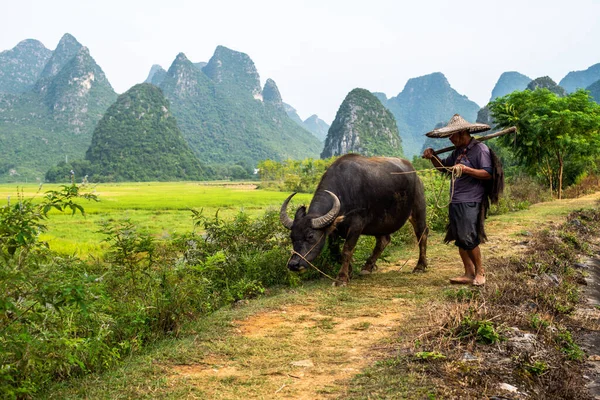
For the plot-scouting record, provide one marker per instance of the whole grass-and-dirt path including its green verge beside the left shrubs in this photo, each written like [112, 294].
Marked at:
[317, 341]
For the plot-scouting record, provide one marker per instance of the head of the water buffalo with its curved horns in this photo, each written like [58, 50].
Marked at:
[308, 233]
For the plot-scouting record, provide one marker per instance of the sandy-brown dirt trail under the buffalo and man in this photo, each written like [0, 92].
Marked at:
[310, 350]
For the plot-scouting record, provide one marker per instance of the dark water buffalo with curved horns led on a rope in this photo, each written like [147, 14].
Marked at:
[358, 196]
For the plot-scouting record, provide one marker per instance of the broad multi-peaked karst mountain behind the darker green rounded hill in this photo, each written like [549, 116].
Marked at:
[222, 115]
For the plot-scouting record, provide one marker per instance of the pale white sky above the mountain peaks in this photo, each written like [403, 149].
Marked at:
[319, 50]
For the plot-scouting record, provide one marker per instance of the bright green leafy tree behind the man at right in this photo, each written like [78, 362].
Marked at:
[554, 134]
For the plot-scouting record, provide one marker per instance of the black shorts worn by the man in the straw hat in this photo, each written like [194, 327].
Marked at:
[463, 224]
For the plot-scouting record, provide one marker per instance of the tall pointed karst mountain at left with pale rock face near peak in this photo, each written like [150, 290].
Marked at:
[53, 120]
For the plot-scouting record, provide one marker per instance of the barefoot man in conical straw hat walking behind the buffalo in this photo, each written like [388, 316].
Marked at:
[471, 165]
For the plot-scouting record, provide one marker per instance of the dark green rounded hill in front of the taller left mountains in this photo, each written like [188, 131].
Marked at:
[138, 140]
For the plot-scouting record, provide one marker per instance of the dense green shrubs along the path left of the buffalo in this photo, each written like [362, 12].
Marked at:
[61, 316]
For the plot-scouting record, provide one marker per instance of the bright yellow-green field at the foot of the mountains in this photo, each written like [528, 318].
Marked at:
[159, 208]
